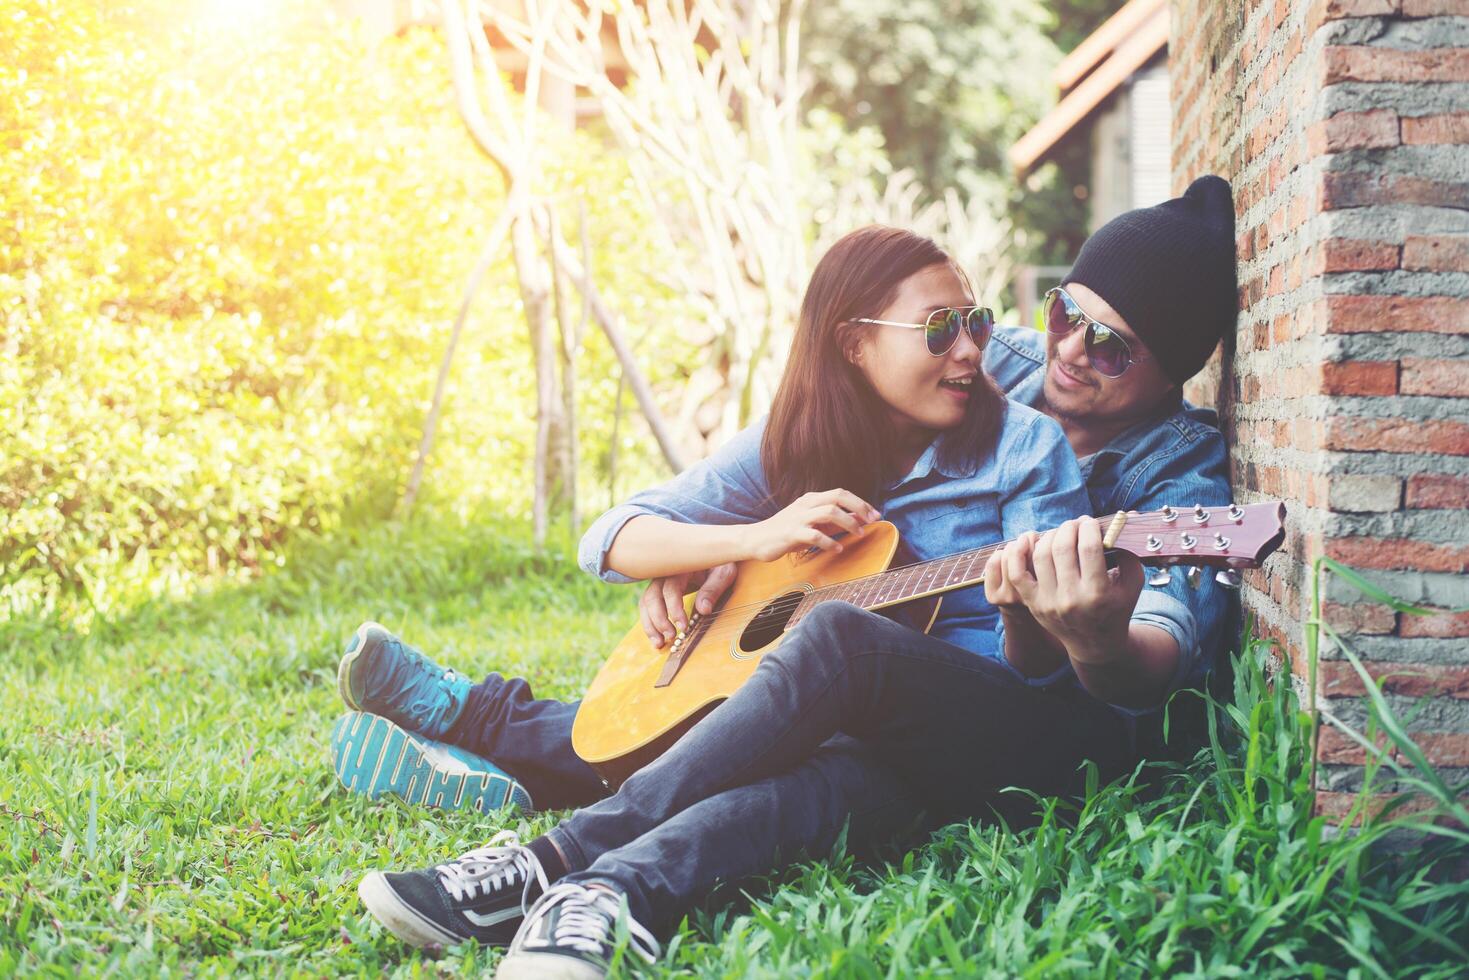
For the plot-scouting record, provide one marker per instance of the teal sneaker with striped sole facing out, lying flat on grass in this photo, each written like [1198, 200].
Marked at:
[375, 757]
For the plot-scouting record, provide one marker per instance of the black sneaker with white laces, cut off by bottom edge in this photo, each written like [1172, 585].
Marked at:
[571, 934]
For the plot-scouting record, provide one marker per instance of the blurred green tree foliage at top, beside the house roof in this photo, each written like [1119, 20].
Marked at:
[950, 86]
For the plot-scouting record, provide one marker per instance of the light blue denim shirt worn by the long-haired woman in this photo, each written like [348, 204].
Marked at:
[1031, 481]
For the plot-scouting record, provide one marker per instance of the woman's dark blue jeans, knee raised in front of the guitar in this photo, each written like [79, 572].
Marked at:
[759, 775]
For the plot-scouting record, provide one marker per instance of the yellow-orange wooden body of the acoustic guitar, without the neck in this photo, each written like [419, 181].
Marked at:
[628, 718]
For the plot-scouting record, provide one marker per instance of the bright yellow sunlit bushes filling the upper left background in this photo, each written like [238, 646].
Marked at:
[228, 264]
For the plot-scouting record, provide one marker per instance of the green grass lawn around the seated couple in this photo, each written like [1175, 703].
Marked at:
[167, 807]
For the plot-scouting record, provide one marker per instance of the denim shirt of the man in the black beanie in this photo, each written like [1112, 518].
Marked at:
[1179, 459]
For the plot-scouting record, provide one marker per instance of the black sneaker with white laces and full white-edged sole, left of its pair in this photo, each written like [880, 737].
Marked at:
[480, 896]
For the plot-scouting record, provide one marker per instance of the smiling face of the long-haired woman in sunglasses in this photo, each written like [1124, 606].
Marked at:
[923, 393]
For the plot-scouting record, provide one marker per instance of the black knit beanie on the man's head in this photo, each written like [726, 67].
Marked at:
[1170, 273]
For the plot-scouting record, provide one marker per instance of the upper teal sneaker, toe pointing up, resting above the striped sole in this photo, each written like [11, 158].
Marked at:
[383, 675]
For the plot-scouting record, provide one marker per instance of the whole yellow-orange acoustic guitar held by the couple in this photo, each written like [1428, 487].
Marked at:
[646, 699]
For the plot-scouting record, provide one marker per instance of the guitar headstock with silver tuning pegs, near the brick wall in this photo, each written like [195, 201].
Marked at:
[1229, 537]
